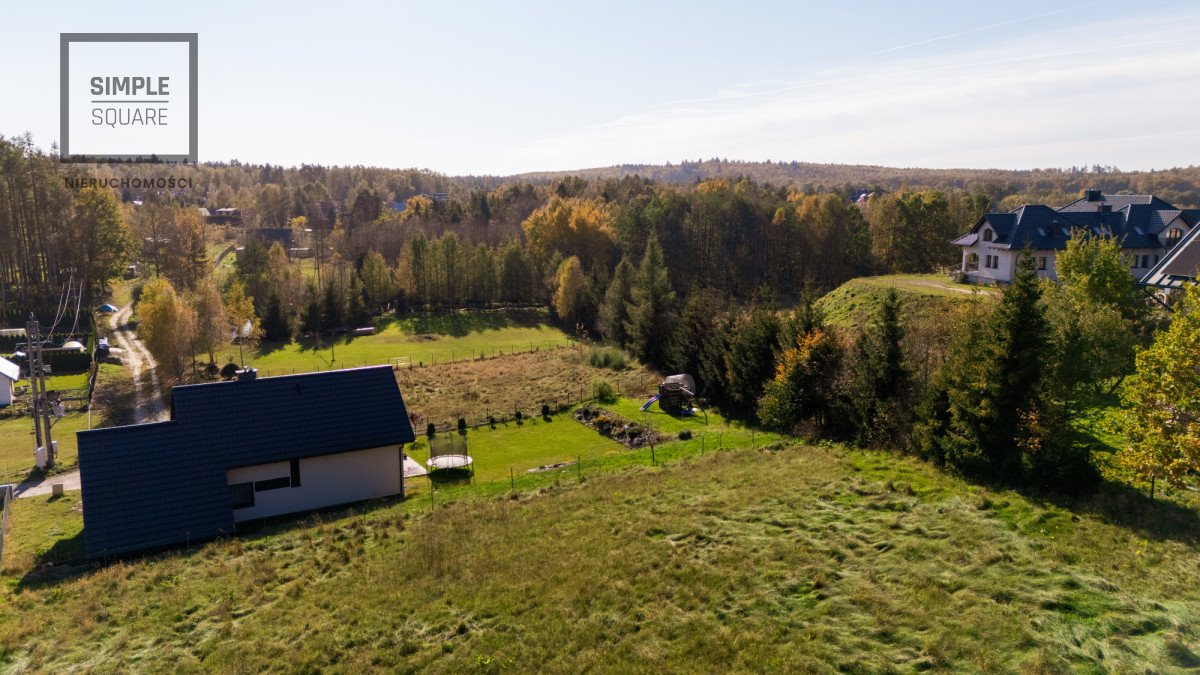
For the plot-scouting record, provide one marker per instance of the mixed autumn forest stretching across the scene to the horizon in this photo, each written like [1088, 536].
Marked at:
[712, 272]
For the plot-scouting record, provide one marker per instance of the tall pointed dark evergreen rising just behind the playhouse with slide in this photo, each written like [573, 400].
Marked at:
[651, 312]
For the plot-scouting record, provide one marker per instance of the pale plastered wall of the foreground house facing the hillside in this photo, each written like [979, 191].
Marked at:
[325, 482]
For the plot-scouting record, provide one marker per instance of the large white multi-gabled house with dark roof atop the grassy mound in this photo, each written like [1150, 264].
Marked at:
[1148, 228]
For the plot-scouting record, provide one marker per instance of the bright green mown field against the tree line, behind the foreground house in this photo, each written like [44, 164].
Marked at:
[423, 341]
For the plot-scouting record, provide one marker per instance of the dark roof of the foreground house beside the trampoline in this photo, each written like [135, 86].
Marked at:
[165, 483]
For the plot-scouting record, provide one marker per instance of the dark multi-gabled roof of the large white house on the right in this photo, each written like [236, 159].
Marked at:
[1138, 220]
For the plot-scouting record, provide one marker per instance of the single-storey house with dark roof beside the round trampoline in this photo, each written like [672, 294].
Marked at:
[239, 451]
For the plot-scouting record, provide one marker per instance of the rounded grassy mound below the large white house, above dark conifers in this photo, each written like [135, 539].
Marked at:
[922, 296]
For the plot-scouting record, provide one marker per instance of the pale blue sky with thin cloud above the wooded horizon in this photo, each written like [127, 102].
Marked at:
[502, 88]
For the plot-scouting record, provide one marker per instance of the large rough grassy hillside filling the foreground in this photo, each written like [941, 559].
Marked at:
[795, 559]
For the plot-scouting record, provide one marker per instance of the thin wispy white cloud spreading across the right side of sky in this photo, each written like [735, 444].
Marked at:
[1121, 94]
